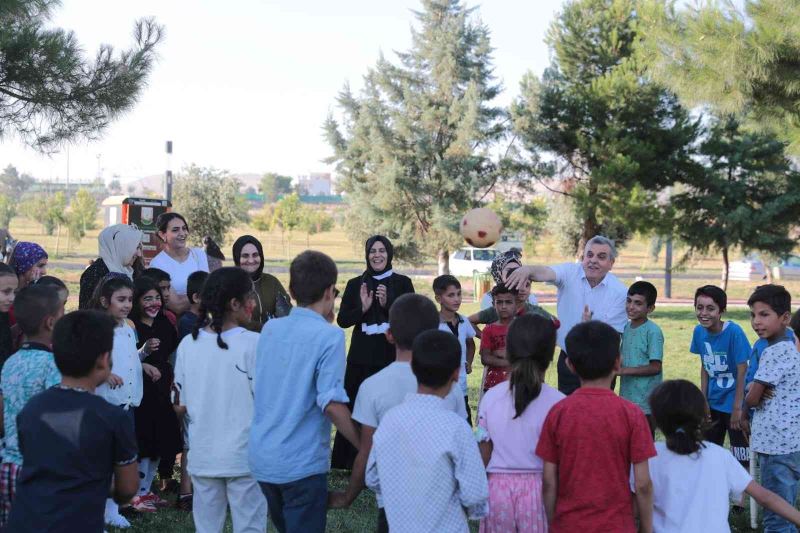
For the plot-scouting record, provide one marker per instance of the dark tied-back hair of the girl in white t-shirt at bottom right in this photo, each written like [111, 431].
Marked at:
[681, 413]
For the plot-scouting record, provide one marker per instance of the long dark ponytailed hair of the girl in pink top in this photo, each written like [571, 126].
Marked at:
[530, 345]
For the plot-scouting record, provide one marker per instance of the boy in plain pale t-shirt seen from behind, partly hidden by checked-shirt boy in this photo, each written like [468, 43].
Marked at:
[409, 316]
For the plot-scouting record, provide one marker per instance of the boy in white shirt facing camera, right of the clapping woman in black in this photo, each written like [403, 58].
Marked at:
[447, 290]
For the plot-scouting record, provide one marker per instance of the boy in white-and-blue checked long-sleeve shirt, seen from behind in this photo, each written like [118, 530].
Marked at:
[424, 463]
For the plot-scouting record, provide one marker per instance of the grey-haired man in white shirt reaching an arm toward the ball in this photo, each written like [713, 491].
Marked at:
[586, 291]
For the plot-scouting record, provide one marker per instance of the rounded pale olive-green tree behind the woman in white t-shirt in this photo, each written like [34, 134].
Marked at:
[210, 201]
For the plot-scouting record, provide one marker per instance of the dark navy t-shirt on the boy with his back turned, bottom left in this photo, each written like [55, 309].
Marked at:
[71, 441]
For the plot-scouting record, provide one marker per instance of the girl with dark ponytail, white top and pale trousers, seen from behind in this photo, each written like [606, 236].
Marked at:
[213, 376]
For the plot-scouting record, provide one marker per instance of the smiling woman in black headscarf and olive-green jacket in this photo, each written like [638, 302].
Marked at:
[272, 300]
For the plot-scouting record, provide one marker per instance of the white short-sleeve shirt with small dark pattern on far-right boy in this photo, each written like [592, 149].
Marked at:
[776, 423]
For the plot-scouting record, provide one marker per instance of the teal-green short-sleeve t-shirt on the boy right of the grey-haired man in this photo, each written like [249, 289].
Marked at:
[640, 346]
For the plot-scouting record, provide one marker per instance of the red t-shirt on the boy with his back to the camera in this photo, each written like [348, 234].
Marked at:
[594, 437]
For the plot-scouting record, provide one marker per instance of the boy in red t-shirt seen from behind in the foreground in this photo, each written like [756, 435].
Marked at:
[589, 442]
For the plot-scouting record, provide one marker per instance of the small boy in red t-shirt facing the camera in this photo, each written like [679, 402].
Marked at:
[493, 337]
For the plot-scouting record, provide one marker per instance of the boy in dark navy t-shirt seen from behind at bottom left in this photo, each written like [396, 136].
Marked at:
[73, 441]
